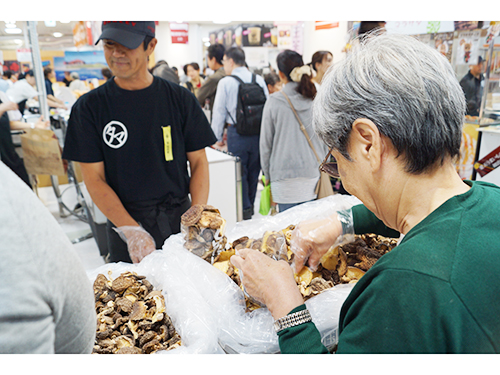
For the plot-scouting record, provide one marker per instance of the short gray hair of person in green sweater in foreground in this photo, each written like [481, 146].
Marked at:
[409, 91]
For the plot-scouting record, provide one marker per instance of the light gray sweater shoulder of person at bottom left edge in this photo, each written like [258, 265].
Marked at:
[46, 298]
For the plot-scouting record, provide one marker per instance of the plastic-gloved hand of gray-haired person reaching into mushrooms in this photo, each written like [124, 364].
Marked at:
[311, 239]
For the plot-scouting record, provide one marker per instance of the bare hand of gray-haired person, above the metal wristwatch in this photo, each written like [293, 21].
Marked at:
[268, 281]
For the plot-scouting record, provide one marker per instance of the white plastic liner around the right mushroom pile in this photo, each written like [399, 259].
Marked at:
[238, 331]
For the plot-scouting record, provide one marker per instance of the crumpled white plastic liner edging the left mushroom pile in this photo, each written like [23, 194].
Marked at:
[186, 308]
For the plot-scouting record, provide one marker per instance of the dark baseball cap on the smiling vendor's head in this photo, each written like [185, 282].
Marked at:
[128, 33]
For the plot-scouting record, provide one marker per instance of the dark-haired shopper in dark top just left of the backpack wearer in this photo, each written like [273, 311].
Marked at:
[209, 88]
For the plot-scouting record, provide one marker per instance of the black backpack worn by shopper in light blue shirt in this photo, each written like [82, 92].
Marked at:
[250, 104]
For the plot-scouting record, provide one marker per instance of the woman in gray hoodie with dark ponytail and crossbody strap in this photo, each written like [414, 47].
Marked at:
[286, 157]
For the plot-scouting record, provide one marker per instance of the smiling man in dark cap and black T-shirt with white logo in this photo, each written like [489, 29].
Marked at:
[133, 137]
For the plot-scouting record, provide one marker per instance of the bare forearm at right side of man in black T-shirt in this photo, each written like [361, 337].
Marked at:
[200, 183]
